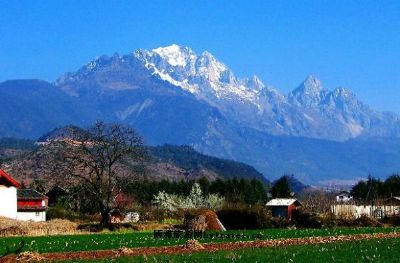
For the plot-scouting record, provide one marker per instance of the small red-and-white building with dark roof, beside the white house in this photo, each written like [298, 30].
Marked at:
[32, 205]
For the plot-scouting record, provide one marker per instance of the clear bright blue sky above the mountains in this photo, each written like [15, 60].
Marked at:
[355, 44]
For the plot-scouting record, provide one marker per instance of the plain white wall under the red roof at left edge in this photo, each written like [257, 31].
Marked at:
[8, 202]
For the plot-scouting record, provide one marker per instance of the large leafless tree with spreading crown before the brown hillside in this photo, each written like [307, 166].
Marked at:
[94, 158]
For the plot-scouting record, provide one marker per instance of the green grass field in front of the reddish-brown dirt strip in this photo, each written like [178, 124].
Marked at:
[379, 250]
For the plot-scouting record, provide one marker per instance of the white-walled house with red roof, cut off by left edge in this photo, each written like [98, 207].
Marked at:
[8, 195]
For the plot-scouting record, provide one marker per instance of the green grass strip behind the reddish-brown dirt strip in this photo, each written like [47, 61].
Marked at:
[145, 239]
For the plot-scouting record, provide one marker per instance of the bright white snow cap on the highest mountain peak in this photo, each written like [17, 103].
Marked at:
[202, 75]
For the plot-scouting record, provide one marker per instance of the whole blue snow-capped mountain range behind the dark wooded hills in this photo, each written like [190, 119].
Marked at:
[173, 95]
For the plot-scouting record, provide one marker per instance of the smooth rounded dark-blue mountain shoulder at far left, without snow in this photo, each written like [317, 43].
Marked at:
[31, 107]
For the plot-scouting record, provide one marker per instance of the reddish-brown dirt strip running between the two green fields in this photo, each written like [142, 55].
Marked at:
[210, 247]
